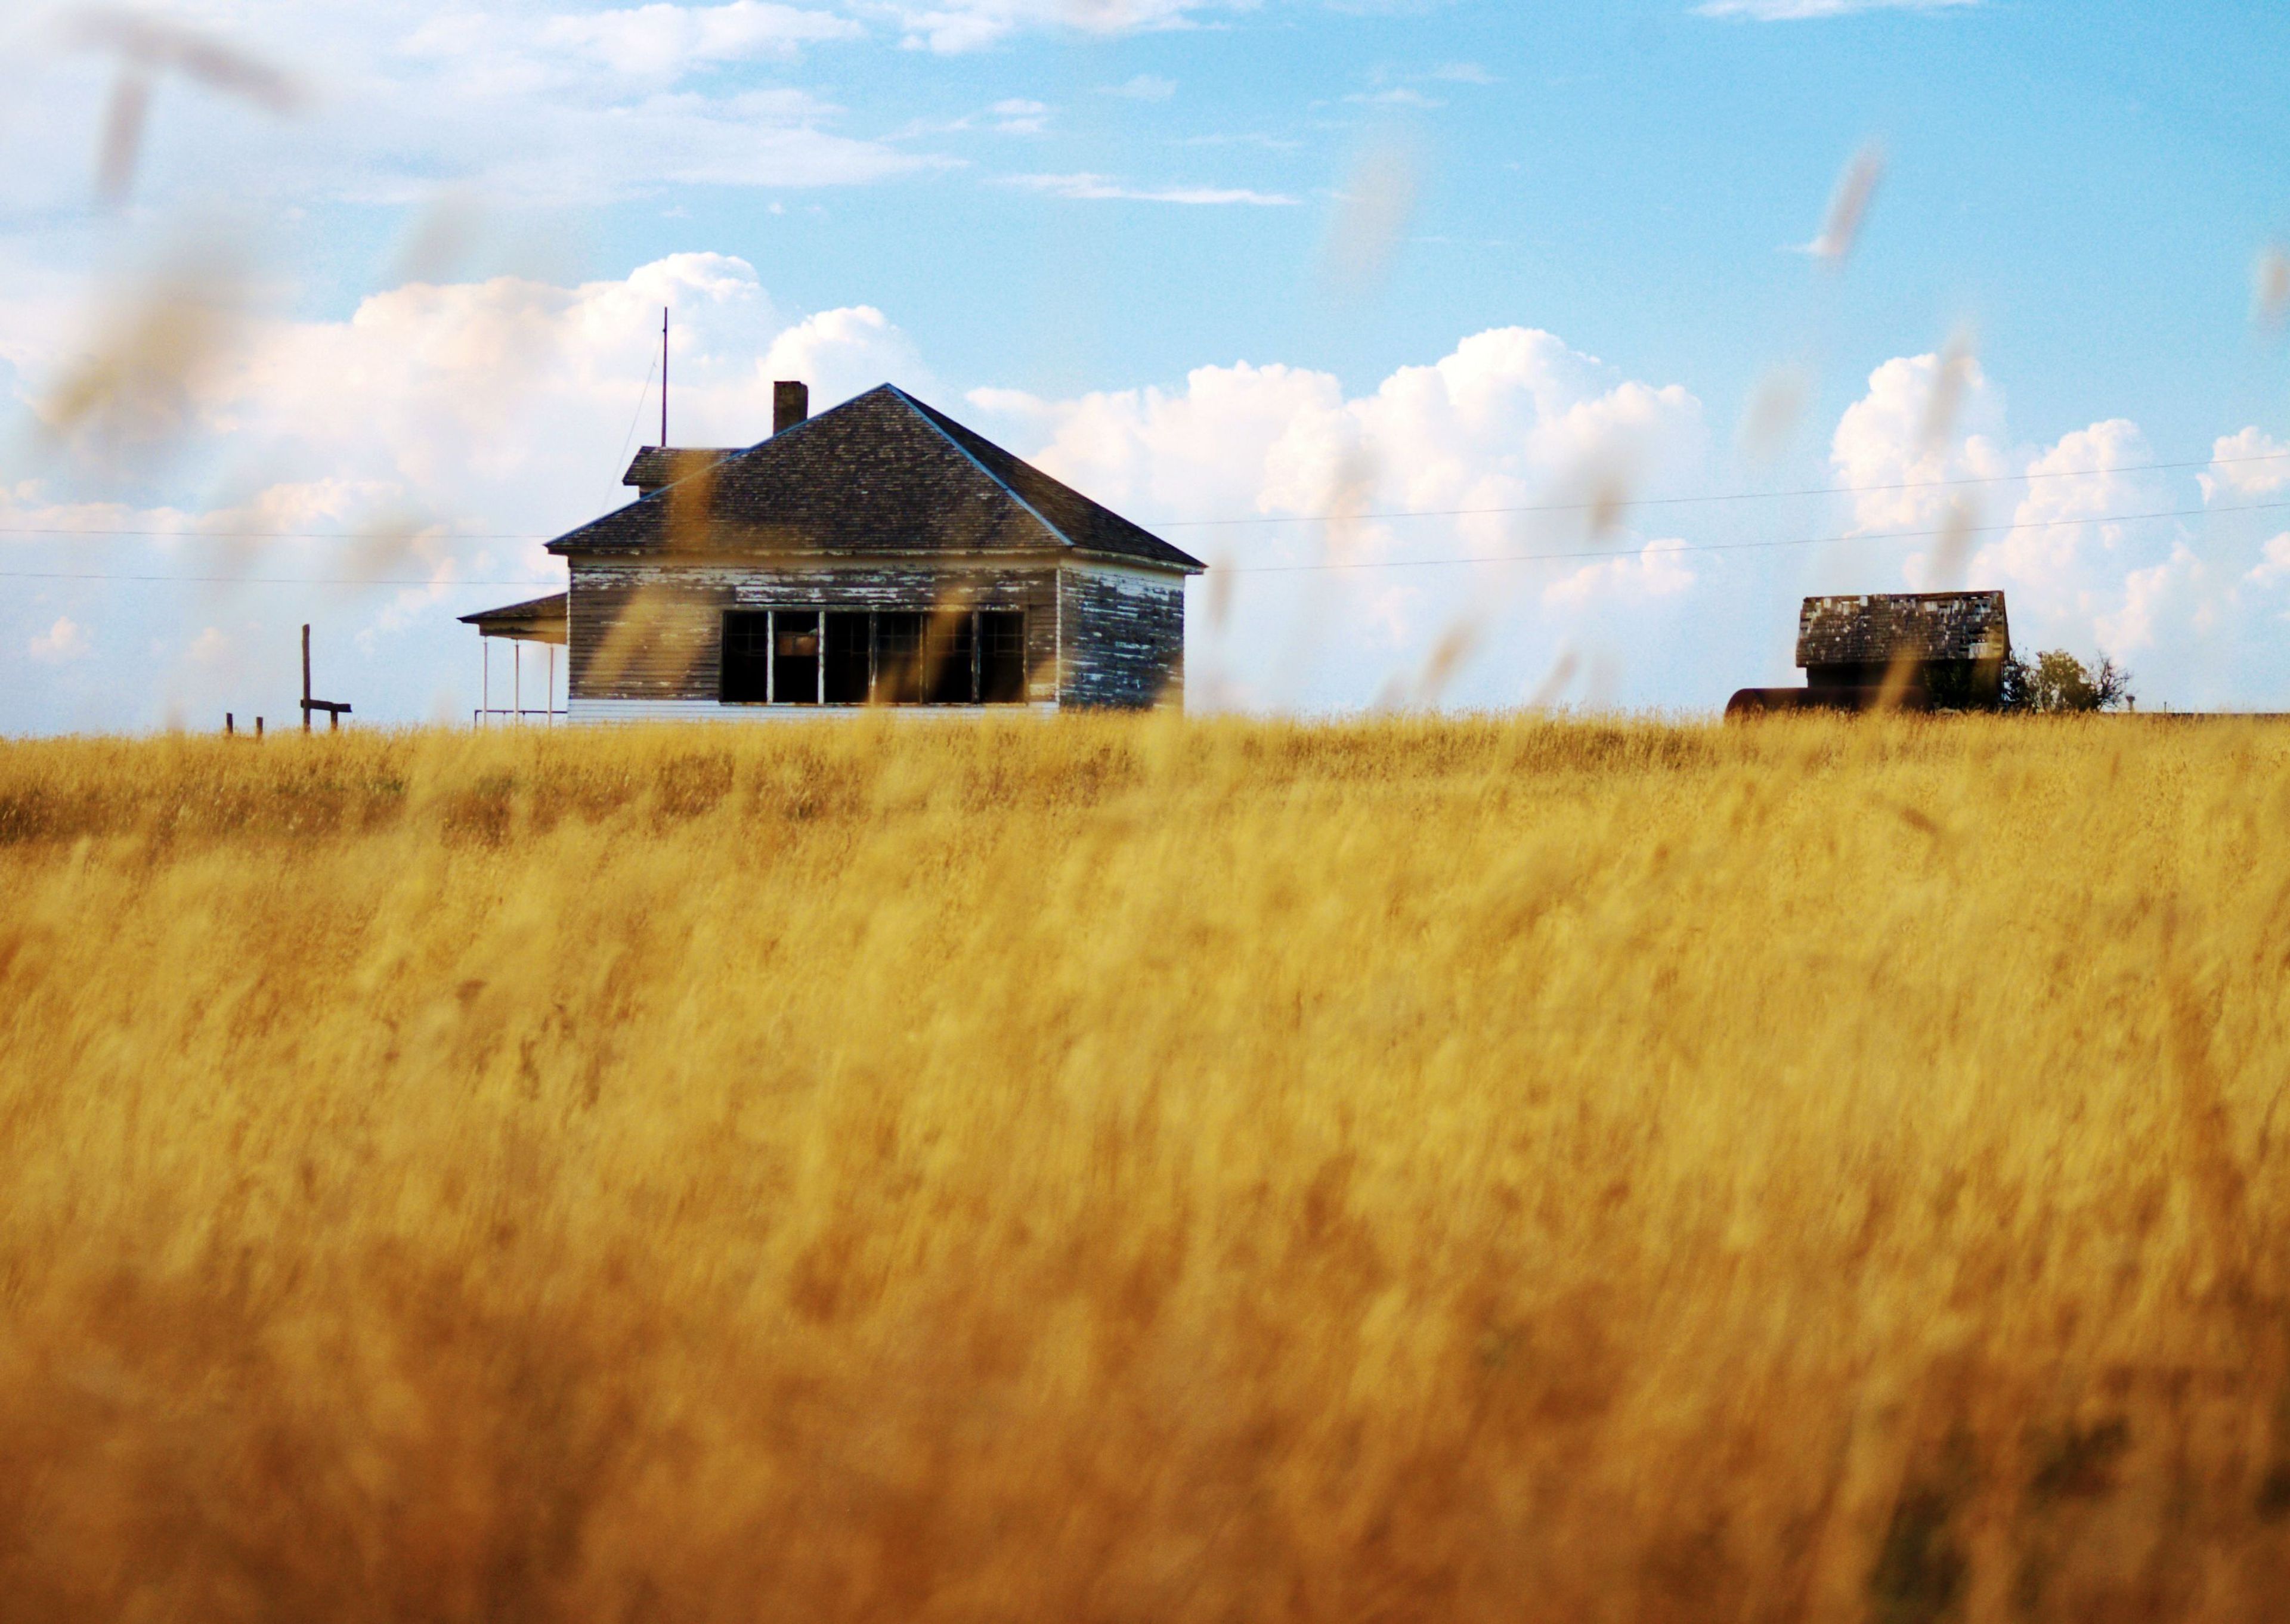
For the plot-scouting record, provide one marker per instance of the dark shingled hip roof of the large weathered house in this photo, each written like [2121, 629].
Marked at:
[878, 475]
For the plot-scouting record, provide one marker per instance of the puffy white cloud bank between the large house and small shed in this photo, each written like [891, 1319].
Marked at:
[1389, 528]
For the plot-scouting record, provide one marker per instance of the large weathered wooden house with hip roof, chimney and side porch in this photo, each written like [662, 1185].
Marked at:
[871, 555]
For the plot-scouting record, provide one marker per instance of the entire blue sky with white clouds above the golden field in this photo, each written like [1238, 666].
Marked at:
[1213, 262]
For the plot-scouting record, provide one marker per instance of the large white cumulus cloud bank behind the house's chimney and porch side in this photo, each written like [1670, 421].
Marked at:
[397, 468]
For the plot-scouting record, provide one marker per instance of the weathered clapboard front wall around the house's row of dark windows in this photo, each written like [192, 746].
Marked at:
[656, 631]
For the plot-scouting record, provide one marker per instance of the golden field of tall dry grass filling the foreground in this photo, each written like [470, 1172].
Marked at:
[1148, 1172]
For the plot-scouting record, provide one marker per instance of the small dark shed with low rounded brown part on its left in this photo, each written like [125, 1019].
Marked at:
[1916, 652]
